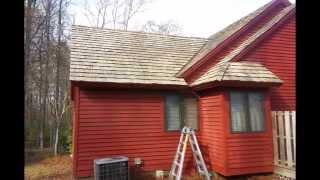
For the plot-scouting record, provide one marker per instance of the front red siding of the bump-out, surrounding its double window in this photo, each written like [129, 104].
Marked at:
[249, 153]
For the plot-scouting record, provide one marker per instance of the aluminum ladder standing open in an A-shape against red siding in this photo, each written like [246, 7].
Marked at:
[177, 165]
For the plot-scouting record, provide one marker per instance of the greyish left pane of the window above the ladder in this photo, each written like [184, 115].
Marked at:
[173, 118]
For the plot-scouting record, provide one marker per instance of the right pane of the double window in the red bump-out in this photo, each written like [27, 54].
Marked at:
[256, 111]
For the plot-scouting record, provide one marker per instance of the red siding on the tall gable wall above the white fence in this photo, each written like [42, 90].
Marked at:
[278, 53]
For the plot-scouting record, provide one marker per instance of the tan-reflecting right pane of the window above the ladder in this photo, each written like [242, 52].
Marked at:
[191, 112]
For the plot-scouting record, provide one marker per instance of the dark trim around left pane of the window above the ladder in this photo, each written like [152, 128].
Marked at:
[165, 112]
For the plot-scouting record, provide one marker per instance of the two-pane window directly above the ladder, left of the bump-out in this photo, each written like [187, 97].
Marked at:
[180, 112]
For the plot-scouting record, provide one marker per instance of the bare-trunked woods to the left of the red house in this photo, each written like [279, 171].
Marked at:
[47, 102]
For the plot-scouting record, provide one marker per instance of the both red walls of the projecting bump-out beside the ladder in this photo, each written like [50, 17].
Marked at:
[227, 153]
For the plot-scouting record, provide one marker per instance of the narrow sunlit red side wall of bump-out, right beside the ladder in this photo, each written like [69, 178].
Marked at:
[212, 131]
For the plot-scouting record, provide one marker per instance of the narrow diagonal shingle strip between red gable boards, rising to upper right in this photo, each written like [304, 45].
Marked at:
[213, 72]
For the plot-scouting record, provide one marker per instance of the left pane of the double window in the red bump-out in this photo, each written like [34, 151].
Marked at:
[238, 112]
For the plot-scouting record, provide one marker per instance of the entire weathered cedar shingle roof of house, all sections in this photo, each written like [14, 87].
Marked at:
[104, 55]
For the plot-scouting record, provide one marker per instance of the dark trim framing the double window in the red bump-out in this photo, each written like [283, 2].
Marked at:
[248, 112]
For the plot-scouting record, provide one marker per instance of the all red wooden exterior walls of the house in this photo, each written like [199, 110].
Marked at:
[132, 123]
